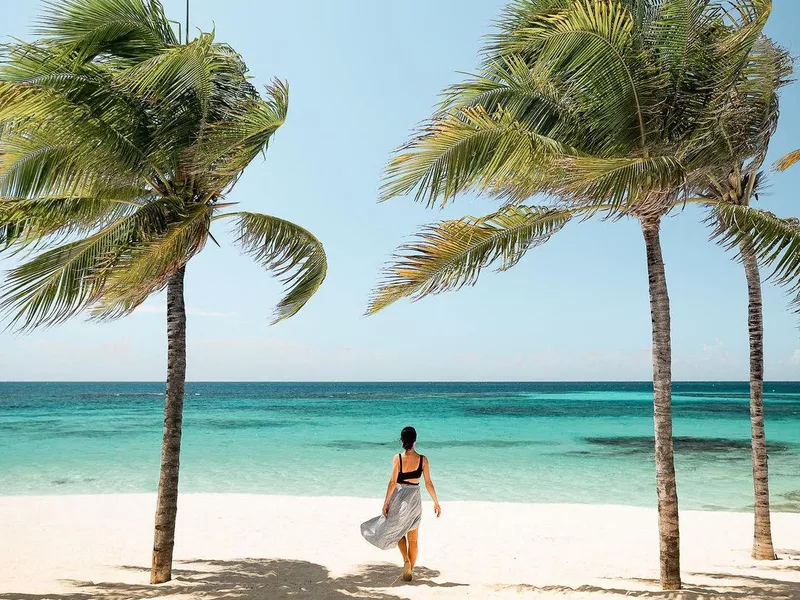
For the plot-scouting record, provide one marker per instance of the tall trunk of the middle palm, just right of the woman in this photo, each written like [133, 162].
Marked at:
[669, 538]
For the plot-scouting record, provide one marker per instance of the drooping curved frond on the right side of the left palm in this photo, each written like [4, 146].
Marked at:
[291, 252]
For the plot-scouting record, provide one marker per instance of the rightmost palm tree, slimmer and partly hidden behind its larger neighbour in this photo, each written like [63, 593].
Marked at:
[754, 121]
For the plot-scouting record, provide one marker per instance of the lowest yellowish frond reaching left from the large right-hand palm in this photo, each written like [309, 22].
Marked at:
[452, 254]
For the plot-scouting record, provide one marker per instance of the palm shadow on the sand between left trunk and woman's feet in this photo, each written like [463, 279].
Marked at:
[251, 579]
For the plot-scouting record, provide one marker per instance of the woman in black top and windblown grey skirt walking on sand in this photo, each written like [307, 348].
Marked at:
[402, 509]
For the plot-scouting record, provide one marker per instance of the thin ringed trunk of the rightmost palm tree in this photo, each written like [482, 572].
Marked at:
[762, 531]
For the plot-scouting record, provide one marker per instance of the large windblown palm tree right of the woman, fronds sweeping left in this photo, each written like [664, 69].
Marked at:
[611, 108]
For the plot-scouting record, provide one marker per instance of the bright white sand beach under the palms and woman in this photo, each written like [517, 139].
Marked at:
[273, 547]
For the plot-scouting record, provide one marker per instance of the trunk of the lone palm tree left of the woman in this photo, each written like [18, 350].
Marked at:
[167, 506]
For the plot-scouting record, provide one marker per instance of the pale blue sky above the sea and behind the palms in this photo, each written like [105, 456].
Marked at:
[362, 74]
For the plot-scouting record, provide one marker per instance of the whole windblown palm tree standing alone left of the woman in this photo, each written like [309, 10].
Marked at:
[118, 146]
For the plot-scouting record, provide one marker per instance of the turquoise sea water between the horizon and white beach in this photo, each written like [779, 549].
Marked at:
[532, 442]
